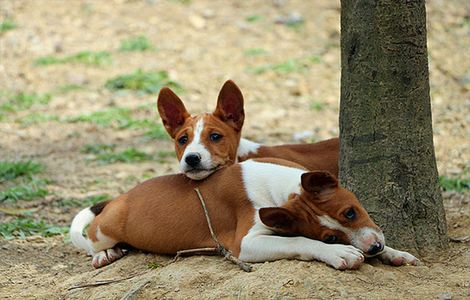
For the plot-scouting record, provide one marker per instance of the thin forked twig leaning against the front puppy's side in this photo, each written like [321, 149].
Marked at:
[219, 249]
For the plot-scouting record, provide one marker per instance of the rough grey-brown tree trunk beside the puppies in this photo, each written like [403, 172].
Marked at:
[387, 154]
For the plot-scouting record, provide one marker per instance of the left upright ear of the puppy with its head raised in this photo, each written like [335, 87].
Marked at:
[172, 111]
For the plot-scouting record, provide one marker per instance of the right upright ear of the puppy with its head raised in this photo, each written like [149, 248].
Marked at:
[230, 105]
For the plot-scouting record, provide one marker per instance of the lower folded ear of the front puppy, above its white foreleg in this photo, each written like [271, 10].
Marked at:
[278, 218]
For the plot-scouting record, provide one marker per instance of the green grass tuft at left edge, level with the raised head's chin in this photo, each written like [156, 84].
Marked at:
[28, 190]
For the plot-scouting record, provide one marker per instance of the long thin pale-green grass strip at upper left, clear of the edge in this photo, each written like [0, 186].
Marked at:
[85, 57]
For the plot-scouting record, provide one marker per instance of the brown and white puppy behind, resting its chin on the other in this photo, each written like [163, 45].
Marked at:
[207, 142]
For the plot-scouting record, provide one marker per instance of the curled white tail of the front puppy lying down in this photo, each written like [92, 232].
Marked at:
[82, 220]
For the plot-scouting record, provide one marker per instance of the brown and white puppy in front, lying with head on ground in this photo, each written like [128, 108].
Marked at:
[248, 203]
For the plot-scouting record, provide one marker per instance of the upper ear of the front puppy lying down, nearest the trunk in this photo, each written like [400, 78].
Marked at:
[320, 183]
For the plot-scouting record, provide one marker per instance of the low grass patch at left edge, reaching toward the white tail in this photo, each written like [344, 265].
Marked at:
[21, 228]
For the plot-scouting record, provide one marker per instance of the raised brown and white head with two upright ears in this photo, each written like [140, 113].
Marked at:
[207, 142]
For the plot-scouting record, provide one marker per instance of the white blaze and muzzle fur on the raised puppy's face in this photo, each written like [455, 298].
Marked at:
[196, 146]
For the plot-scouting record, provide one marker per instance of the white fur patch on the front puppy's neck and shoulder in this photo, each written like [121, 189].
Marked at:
[269, 184]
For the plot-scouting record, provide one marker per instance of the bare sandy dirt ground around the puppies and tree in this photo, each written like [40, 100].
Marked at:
[201, 44]
